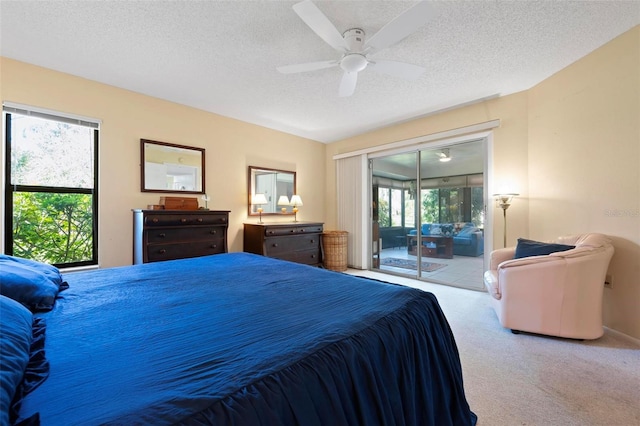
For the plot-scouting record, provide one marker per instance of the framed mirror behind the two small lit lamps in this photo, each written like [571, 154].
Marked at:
[273, 184]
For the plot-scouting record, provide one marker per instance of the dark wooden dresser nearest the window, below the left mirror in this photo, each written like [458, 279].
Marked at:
[176, 234]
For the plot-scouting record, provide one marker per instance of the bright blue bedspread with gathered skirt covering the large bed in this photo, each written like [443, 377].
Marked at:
[239, 339]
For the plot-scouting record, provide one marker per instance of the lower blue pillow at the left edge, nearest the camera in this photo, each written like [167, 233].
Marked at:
[15, 343]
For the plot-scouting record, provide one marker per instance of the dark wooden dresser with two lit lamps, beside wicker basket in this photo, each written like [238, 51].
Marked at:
[294, 241]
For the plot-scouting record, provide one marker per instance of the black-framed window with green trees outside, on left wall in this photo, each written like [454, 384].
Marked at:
[51, 192]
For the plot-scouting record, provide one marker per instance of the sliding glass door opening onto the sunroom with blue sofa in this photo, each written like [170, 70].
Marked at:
[428, 213]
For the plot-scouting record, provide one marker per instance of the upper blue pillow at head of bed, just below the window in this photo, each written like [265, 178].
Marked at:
[34, 284]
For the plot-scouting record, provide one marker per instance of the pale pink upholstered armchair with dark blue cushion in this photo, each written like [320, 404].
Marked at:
[558, 294]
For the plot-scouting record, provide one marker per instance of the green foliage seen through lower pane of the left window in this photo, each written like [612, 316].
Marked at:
[52, 227]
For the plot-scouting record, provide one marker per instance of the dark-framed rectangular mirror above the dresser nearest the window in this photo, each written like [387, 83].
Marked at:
[167, 167]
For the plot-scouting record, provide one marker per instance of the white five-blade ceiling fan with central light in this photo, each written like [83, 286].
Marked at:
[356, 51]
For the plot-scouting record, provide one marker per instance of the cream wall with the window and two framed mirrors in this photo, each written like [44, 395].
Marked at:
[231, 146]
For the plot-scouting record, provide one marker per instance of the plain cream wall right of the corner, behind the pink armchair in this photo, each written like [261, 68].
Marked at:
[584, 163]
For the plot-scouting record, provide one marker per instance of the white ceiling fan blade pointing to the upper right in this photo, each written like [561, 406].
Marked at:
[402, 26]
